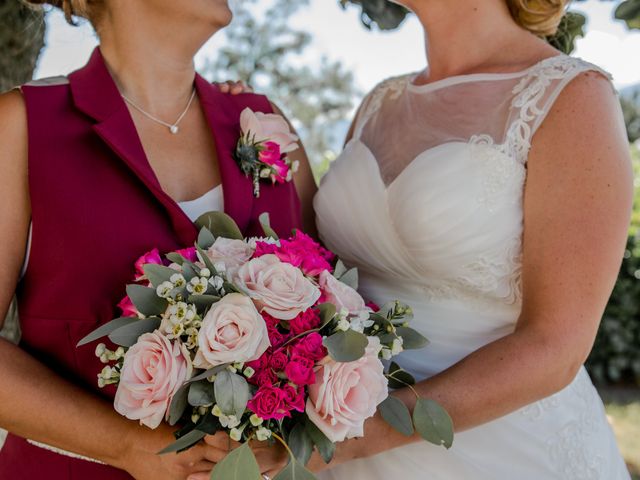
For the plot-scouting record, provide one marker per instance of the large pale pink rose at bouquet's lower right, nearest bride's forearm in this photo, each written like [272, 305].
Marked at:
[346, 394]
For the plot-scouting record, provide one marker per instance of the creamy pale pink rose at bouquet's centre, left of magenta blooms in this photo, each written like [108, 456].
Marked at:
[232, 331]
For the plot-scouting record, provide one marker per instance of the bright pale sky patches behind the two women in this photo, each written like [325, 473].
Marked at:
[371, 55]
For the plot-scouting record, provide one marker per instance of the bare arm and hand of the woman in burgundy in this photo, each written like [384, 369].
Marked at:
[52, 410]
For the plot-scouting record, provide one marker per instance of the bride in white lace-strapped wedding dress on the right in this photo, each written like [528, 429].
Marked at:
[492, 192]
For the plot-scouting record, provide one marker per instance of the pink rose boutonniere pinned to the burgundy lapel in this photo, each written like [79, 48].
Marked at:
[261, 152]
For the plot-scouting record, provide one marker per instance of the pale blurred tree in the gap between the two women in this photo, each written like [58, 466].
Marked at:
[264, 49]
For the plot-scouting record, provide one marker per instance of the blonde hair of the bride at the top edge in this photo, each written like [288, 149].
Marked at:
[540, 17]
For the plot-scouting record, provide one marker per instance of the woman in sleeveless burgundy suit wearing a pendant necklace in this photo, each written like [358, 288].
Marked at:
[93, 170]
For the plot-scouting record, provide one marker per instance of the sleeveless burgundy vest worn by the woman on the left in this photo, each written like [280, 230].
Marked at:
[96, 207]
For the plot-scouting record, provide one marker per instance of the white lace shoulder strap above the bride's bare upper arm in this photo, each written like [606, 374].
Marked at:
[535, 94]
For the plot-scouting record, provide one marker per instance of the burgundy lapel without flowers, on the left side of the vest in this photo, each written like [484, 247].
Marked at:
[95, 93]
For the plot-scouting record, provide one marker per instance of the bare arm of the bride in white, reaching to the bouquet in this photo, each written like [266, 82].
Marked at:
[577, 205]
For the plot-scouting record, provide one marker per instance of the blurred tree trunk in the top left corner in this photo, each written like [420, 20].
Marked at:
[21, 39]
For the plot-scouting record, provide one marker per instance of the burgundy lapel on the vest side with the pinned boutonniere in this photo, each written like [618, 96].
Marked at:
[223, 115]
